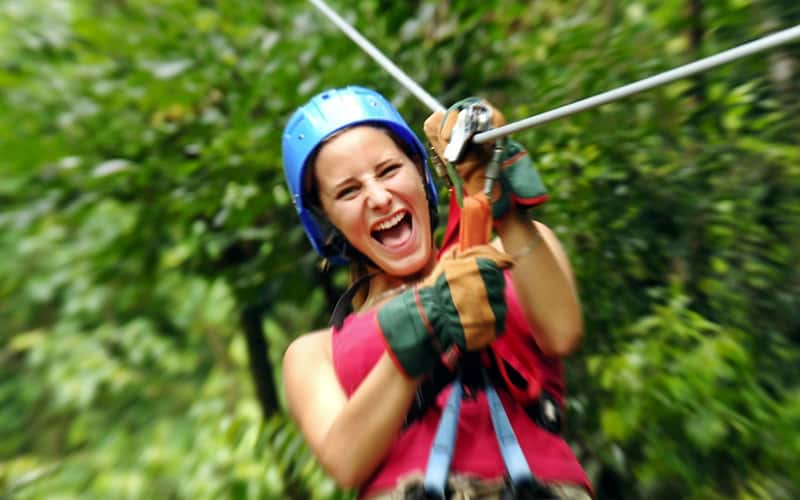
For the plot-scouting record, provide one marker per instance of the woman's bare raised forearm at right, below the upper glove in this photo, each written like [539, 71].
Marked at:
[544, 282]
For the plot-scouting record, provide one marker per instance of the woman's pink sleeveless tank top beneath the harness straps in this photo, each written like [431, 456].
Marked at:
[357, 346]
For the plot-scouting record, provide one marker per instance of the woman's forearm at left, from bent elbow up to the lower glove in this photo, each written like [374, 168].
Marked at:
[363, 431]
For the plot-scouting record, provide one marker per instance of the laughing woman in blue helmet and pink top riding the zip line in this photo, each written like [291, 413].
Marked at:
[367, 393]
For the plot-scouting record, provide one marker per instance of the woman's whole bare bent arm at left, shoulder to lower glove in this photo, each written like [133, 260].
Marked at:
[349, 437]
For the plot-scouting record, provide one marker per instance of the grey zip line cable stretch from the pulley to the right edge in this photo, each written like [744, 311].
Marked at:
[705, 64]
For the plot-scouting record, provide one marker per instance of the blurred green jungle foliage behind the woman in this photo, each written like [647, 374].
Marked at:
[152, 270]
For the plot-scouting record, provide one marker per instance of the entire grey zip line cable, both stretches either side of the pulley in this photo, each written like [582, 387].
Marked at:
[705, 64]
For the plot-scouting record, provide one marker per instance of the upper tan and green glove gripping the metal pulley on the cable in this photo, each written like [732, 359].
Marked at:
[519, 183]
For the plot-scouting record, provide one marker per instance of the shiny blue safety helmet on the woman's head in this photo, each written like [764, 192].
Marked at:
[326, 113]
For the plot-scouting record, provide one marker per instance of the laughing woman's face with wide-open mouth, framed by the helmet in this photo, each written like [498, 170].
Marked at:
[374, 194]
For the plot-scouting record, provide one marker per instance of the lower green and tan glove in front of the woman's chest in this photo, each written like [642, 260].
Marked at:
[459, 307]
